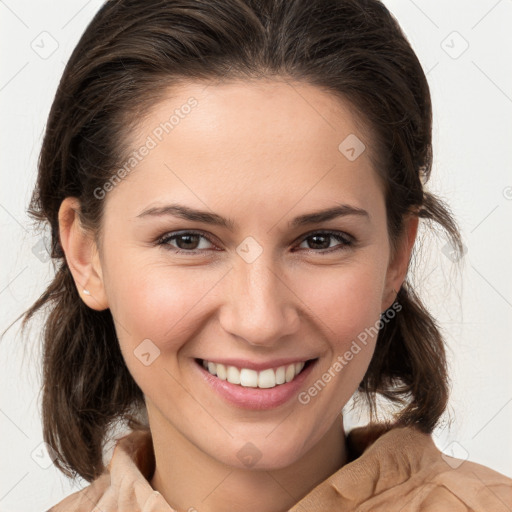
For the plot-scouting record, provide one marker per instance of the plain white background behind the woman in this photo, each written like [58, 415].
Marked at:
[472, 98]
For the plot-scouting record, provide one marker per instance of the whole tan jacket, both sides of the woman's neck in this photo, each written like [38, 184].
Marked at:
[397, 469]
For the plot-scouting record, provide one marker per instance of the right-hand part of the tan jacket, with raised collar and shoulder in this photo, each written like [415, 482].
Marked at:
[400, 468]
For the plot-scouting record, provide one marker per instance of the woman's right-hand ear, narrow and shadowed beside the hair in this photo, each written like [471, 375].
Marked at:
[398, 265]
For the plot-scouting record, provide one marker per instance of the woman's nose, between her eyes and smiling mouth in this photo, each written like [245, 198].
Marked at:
[261, 307]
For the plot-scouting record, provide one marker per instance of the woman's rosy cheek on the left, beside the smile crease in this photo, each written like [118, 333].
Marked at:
[156, 312]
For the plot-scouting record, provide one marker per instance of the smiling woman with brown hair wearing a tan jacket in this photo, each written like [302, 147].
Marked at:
[234, 190]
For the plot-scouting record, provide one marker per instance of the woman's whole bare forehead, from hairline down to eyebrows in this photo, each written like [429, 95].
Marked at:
[259, 140]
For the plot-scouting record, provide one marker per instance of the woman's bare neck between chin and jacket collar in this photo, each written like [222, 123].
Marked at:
[189, 479]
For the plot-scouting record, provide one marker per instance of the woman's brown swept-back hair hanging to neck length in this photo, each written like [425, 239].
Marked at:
[131, 53]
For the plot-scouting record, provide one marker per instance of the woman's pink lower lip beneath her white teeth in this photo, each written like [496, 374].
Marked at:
[256, 398]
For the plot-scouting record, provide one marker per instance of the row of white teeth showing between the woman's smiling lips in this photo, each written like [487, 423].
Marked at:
[246, 377]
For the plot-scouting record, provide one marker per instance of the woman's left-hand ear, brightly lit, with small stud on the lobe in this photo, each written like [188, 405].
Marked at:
[82, 255]
